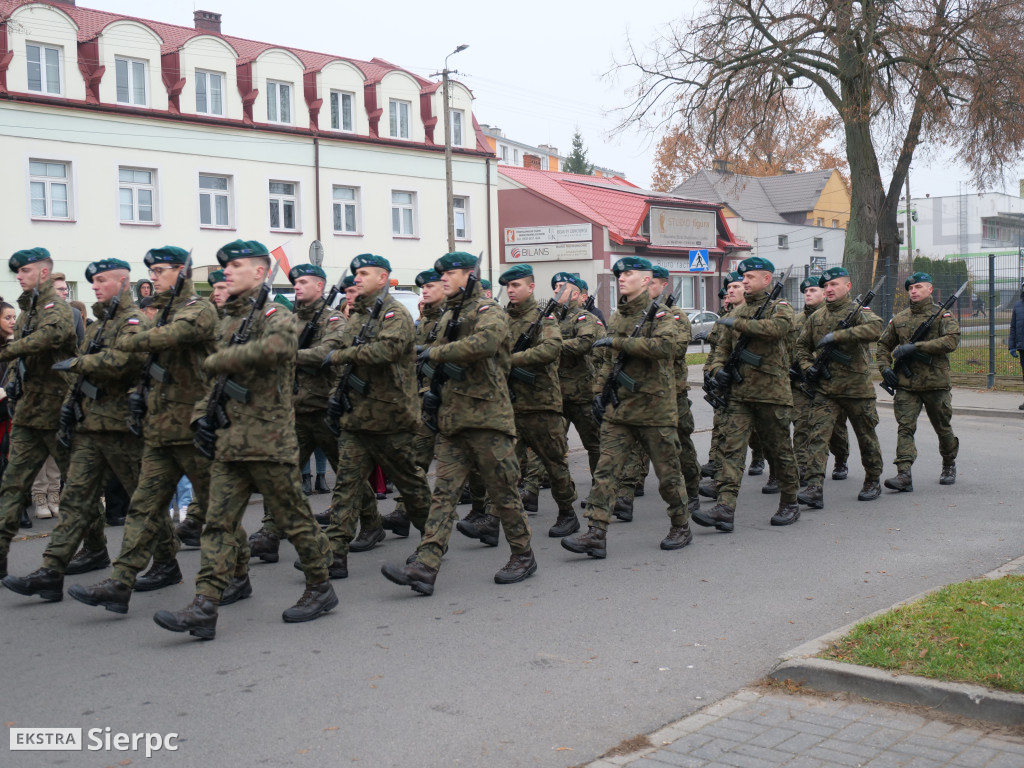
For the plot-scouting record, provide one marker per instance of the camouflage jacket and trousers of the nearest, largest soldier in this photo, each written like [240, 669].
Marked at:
[259, 452]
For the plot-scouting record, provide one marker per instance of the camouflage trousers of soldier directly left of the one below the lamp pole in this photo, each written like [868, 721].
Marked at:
[358, 454]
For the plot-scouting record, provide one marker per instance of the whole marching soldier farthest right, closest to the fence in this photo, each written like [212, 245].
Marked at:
[928, 388]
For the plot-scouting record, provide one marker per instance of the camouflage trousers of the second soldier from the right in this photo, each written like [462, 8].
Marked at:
[824, 415]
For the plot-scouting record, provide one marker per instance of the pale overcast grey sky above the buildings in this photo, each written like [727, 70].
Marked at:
[535, 68]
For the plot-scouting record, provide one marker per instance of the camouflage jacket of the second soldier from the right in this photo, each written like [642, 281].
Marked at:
[851, 360]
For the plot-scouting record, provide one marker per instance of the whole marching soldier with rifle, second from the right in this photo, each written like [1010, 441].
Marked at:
[849, 392]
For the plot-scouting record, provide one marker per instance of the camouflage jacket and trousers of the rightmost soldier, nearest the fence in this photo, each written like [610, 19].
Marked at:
[930, 387]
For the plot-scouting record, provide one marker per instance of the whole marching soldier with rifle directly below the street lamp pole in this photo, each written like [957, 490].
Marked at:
[477, 429]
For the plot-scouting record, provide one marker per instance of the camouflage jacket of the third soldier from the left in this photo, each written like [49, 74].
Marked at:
[180, 348]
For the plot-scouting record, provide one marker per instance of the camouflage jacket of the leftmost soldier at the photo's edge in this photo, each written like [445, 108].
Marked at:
[52, 339]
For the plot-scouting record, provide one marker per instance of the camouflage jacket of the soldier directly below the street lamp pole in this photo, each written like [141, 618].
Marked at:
[479, 399]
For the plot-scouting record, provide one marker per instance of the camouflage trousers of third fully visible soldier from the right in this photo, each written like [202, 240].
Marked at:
[771, 421]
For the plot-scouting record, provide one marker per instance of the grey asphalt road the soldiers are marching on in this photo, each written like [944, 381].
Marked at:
[552, 672]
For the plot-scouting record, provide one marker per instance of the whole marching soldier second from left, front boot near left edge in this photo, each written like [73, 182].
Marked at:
[101, 444]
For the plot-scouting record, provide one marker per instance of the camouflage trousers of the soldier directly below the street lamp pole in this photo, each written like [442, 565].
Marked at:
[493, 455]
